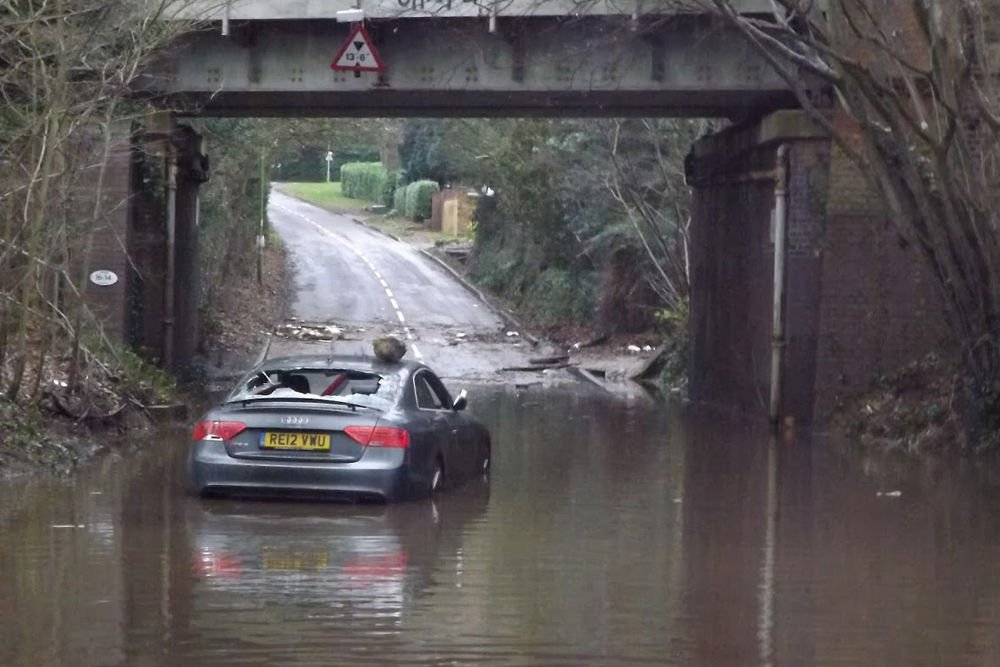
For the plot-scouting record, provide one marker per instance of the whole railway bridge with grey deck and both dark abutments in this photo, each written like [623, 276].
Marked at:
[786, 237]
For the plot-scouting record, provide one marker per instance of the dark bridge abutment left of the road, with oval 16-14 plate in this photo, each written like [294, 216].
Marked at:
[149, 240]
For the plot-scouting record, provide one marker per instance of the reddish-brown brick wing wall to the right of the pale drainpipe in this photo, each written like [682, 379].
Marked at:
[878, 306]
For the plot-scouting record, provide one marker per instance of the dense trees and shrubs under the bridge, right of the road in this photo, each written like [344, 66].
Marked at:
[588, 218]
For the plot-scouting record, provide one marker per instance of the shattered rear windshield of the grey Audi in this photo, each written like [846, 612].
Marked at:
[333, 384]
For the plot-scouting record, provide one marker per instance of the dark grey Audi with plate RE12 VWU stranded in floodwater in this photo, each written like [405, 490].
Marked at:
[345, 428]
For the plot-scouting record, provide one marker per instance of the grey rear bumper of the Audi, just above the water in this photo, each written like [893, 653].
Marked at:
[380, 474]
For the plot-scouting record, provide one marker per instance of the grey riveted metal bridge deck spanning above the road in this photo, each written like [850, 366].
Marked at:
[459, 58]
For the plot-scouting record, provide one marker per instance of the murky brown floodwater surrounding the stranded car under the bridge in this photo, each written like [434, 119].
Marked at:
[612, 532]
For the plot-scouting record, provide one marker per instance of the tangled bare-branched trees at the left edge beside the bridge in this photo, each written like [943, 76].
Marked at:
[67, 70]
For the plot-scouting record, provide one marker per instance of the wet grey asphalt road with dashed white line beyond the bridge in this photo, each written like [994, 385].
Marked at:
[368, 284]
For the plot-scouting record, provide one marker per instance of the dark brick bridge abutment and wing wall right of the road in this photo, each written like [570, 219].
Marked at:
[856, 299]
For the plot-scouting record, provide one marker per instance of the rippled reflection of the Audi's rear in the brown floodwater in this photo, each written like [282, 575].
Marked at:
[335, 560]
